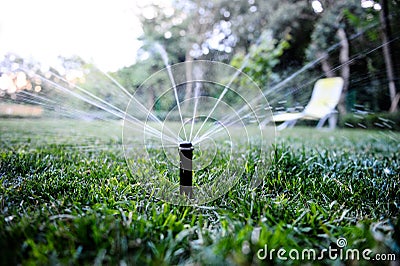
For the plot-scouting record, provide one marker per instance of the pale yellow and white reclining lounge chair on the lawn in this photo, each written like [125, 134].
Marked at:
[324, 99]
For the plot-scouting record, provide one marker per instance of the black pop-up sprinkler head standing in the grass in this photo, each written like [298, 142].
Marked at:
[186, 168]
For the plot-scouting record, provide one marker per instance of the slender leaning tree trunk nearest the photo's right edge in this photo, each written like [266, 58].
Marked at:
[384, 19]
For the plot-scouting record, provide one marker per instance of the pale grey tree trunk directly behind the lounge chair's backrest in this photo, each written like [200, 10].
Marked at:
[345, 68]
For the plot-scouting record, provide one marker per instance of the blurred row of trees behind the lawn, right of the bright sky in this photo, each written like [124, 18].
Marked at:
[345, 38]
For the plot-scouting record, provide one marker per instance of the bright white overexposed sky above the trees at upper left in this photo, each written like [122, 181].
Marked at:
[102, 32]
